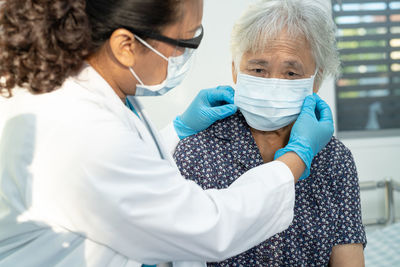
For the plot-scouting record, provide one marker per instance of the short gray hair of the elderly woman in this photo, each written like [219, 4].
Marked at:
[266, 19]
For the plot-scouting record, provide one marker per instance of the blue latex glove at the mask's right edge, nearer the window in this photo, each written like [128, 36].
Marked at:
[311, 132]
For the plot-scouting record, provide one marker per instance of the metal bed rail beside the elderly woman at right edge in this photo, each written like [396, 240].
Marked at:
[389, 186]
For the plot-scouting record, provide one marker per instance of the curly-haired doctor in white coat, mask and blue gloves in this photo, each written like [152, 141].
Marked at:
[87, 182]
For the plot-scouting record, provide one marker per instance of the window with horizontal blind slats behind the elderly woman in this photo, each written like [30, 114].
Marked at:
[368, 91]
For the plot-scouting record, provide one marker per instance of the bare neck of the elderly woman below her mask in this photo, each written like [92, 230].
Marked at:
[269, 142]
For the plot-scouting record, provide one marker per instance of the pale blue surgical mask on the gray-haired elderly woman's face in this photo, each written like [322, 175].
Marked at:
[269, 104]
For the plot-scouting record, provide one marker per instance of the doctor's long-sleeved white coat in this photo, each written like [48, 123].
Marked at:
[82, 183]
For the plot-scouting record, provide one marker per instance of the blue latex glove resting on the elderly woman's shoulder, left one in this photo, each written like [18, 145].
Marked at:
[209, 106]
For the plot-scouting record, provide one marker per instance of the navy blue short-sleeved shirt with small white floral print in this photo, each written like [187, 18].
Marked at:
[327, 207]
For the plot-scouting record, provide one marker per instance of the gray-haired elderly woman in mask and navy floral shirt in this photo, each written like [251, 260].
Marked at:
[282, 50]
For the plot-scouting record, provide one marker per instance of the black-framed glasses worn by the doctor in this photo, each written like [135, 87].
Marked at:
[189, 43]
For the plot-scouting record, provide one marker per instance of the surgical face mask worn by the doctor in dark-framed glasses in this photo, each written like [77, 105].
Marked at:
[177, 69]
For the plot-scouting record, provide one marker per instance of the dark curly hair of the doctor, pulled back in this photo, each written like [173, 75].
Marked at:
[42, 42]
